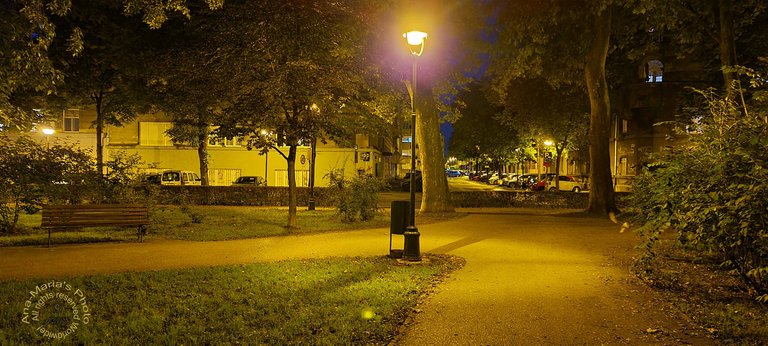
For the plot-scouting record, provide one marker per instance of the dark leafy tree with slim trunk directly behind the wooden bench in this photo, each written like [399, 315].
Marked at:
[103, 74]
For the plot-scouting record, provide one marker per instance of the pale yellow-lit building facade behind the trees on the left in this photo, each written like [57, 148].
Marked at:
[228, 159]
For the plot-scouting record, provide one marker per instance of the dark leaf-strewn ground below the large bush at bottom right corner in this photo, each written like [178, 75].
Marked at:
[714, 299]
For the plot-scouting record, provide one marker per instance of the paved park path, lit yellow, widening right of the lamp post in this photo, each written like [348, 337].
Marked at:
[532, 277]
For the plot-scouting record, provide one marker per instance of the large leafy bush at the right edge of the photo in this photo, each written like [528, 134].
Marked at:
[713, 192]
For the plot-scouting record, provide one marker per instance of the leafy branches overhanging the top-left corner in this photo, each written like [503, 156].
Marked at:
[29, 32]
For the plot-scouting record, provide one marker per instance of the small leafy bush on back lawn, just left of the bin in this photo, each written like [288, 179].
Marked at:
[356, 198]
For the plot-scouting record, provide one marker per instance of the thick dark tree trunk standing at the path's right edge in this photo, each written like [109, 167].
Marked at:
[601, 195]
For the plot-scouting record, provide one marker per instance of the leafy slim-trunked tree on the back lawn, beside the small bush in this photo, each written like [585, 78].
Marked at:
[285, 57]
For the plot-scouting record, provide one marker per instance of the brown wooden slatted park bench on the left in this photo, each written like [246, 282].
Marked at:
[95, 215]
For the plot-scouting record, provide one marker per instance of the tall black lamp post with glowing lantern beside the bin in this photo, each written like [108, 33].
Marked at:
[411, 250]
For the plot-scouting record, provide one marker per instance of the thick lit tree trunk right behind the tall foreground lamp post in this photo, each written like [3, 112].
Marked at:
[435, 197]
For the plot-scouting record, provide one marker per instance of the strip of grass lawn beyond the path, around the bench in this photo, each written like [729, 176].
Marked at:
[205, 223]
